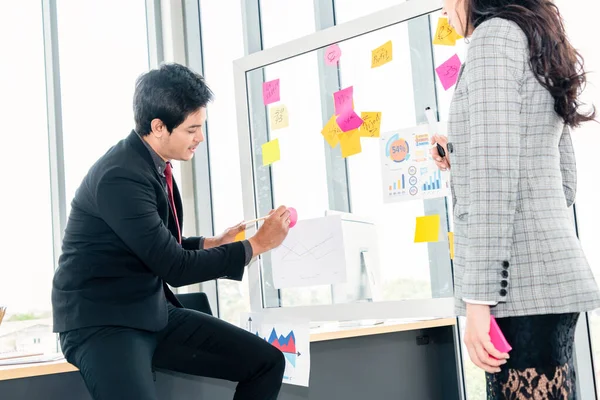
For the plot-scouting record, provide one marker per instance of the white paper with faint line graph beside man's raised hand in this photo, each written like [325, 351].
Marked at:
[312, 254]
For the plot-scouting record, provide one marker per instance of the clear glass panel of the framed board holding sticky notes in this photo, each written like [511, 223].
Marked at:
[315, 179]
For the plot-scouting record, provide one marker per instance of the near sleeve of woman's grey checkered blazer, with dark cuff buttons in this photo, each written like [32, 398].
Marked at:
[494, 72]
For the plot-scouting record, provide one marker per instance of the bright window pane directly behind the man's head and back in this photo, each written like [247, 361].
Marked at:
[103, 48]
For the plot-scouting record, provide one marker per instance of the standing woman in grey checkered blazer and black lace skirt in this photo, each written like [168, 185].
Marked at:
[517, 255]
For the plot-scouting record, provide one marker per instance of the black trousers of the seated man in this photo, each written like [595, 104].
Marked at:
[117, 362]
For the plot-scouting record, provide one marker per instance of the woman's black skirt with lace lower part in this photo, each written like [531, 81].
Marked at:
[541, 361]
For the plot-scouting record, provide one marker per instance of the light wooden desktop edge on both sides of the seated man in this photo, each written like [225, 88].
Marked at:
[58, 367]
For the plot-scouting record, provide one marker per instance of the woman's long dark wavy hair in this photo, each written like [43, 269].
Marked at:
[556, 64]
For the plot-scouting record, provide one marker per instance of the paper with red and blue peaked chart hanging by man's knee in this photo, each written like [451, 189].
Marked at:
[291, 336]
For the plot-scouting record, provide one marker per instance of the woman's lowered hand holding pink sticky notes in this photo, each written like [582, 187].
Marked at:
[477, 339]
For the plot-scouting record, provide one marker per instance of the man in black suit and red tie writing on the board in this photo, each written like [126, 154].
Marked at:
[116, 315]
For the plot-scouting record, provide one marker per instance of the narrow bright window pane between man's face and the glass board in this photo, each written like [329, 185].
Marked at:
[222, 44]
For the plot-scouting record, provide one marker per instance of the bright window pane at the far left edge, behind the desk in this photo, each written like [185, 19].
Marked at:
[26, 268]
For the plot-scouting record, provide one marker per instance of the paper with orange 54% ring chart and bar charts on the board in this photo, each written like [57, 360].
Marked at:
[408, 170]
